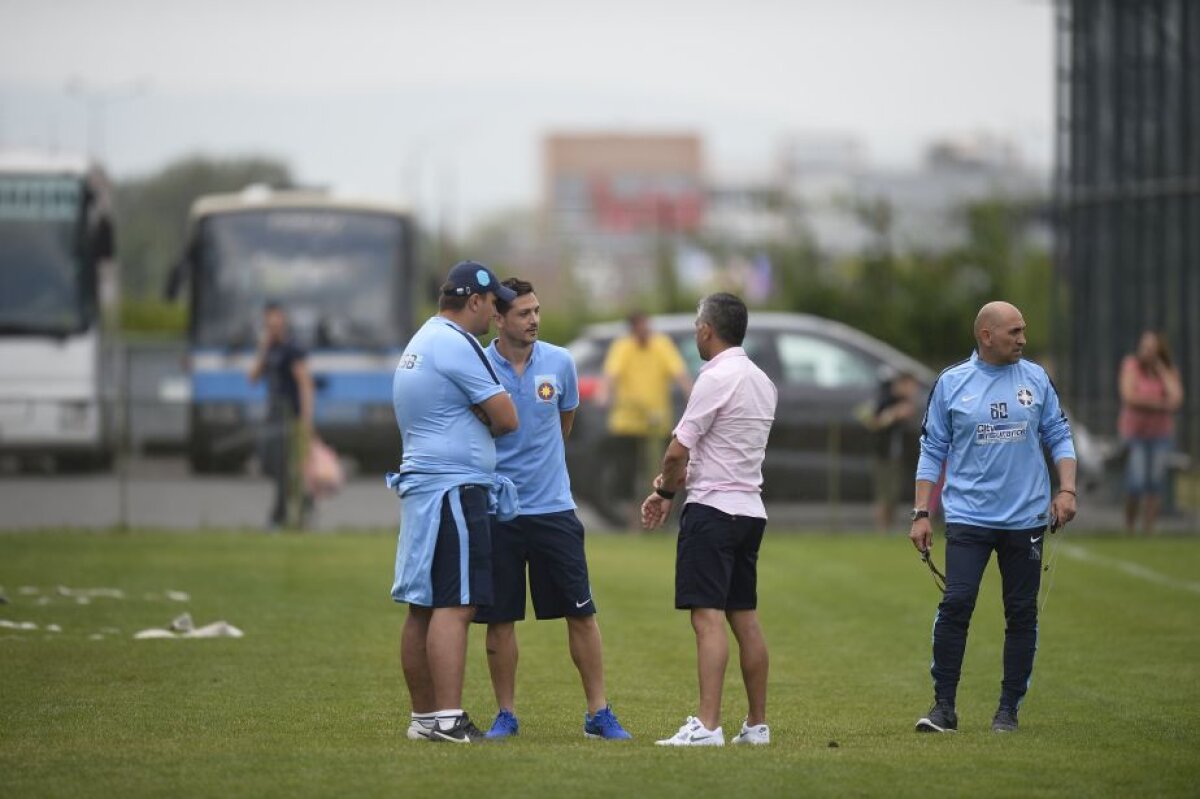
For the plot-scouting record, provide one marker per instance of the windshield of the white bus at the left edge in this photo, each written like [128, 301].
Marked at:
[41, 289]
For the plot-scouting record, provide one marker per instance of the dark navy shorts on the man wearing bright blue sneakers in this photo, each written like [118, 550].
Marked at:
[553, 546]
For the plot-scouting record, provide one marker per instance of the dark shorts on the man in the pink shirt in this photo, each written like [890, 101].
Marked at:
[717, 560]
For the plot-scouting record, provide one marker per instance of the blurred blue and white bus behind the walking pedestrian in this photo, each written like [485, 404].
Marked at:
[344, 271]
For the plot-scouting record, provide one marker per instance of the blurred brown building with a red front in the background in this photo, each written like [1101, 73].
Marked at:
[615, 205]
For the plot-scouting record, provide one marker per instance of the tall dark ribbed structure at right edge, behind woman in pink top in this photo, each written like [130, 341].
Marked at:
[1127, 185]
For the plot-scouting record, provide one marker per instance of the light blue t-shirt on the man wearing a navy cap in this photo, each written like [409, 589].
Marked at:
[441, 375]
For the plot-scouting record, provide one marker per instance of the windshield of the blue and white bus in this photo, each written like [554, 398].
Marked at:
[335, 272]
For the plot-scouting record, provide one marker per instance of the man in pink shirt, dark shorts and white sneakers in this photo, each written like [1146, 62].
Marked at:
[717, 454]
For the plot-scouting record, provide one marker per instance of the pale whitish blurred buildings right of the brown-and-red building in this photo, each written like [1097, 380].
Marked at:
[824, 189]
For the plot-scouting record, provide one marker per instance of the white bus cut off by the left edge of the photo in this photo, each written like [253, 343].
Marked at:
[56, 275]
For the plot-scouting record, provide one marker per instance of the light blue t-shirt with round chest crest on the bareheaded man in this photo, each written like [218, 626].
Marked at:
[535, 458]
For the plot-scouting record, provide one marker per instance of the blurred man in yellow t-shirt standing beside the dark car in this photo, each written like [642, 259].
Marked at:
[639, 371]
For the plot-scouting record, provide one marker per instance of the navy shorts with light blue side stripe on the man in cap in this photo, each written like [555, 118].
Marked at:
[458, 558]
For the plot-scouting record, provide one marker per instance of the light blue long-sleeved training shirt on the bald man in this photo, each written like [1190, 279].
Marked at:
[988, 425]
